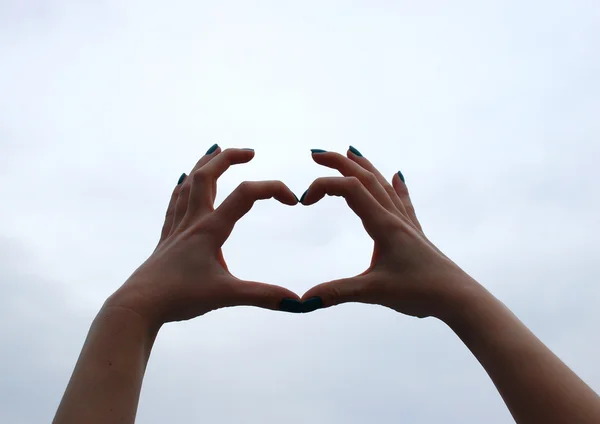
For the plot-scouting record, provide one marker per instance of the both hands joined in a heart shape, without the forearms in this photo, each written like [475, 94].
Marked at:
[187, 276]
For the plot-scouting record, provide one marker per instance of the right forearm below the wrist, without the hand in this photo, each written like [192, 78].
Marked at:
[536, 385]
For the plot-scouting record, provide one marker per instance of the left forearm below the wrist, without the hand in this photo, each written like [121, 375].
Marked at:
[105, 385]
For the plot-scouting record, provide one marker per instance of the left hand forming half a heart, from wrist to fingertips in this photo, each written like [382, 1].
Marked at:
[187, 276]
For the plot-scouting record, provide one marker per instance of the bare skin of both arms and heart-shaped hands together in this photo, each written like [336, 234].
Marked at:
[187, 276]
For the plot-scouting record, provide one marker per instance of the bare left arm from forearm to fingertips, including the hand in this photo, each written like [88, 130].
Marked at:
[185, 277]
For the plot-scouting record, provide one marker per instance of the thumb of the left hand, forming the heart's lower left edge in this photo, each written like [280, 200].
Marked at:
[267, 296]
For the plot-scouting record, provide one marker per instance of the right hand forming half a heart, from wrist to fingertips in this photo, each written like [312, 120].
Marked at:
[407, 272]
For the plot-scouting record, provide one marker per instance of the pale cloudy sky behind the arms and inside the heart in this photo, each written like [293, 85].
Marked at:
[490, 110]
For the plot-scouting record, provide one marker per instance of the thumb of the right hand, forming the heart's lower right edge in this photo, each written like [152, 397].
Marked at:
[354, 289]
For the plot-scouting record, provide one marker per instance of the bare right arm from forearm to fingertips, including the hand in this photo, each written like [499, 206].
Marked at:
[409, 274]
